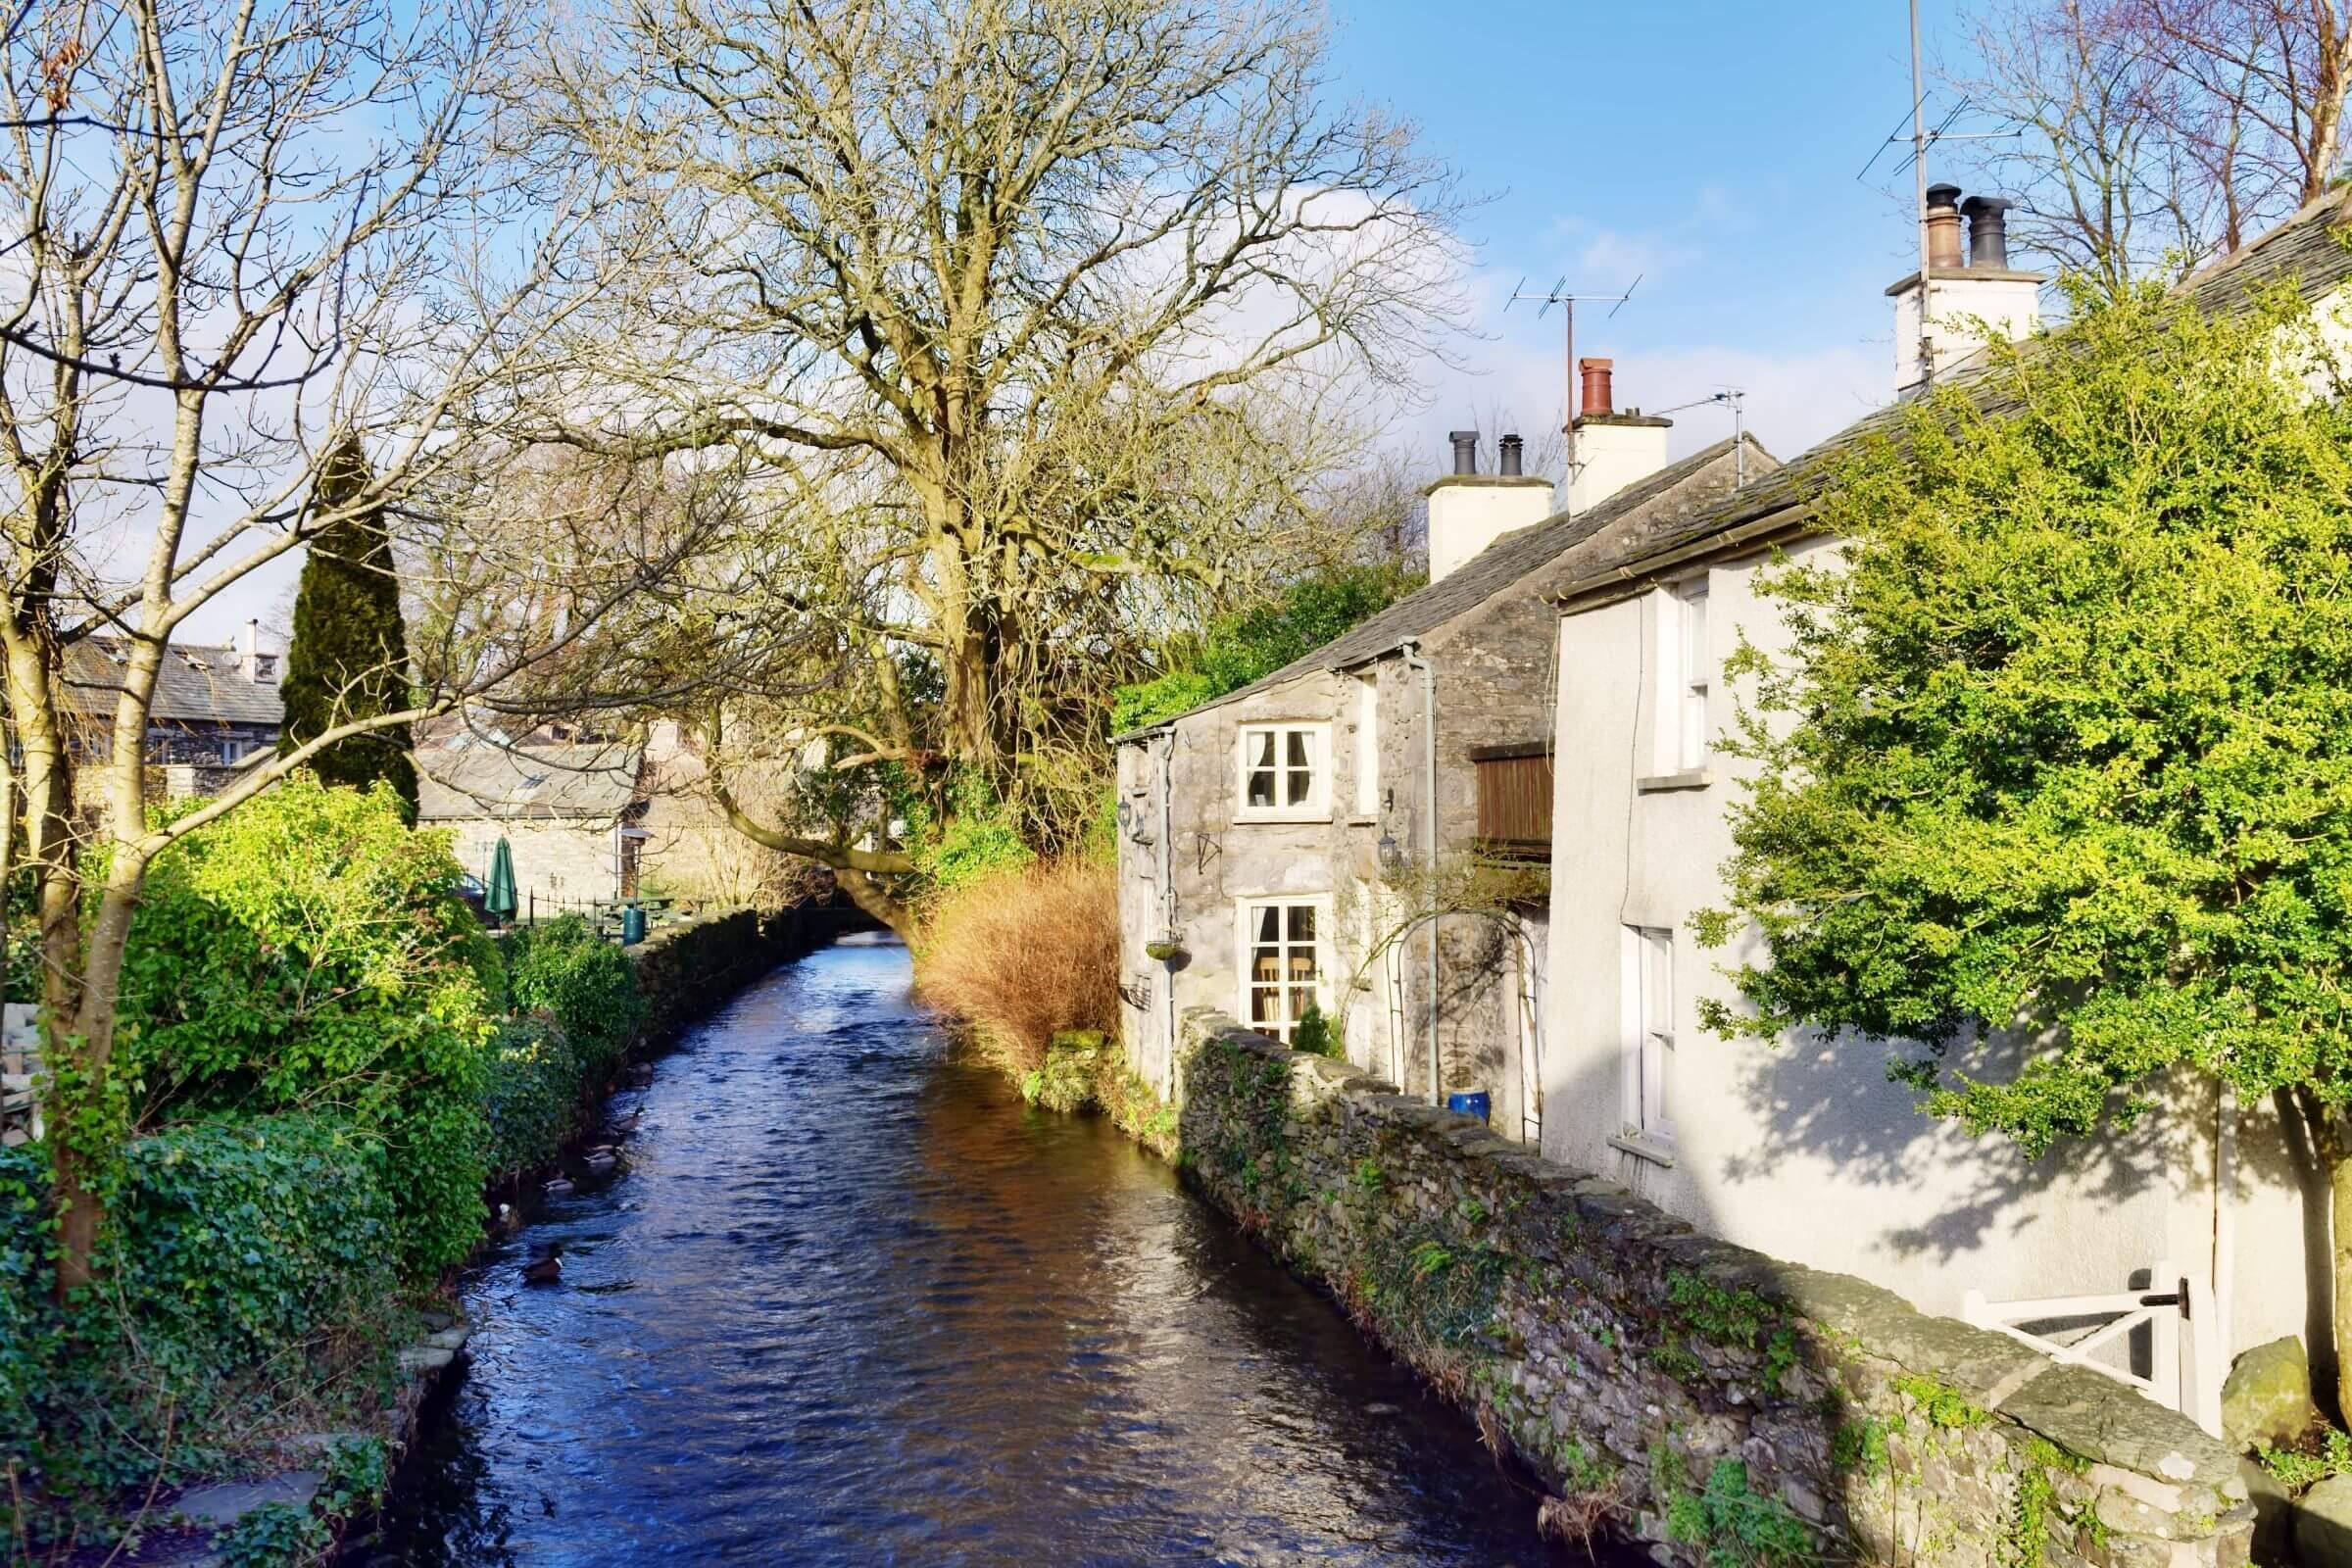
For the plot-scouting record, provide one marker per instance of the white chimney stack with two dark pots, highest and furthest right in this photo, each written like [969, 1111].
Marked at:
[1946, 321]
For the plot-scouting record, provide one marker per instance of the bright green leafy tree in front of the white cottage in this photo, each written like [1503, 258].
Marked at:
[2064, 751]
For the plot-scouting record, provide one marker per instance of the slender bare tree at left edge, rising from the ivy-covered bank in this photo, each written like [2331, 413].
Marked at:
[232, 243]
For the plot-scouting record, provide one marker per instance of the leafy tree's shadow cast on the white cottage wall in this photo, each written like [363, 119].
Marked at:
[1829, 1099]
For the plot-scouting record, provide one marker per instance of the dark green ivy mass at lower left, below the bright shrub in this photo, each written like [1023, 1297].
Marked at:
[250, 1268]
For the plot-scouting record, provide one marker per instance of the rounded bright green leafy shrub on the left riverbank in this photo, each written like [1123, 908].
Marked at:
[312, 949]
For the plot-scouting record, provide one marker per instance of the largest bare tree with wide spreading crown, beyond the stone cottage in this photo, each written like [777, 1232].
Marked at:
[1031, 319]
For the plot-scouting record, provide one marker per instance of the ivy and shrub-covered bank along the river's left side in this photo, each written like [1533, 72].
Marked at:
[276, 1296]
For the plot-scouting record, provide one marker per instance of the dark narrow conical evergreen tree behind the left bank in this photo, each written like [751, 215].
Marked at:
[352, 648]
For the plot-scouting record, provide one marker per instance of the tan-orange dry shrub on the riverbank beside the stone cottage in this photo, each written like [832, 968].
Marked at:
[1027, 956]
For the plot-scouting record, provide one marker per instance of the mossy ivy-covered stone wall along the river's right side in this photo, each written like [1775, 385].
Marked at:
[1720, 1405]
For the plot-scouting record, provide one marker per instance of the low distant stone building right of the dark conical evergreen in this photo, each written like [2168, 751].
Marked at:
[568, 810]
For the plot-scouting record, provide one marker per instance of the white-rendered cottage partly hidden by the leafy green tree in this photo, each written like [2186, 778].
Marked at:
[1765, 1146]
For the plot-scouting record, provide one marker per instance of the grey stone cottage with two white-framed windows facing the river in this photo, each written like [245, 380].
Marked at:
[1368, 829]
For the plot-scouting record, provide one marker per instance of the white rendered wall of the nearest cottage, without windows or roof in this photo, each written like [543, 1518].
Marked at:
[1803, 1148]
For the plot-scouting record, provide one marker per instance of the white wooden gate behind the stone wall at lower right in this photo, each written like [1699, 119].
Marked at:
[2186, 1360]
